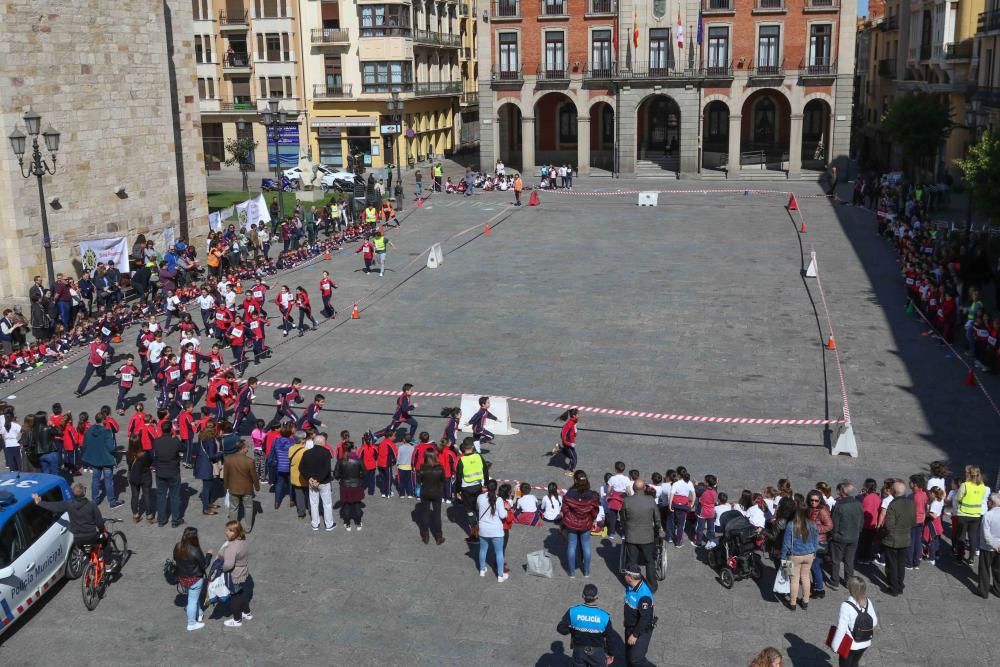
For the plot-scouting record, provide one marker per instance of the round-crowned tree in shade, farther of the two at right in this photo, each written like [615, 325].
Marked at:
[918, 123]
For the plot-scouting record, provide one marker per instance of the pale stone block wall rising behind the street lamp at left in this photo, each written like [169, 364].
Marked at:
[117, 79]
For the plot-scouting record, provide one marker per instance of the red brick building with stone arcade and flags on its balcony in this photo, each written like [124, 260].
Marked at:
[692, 88]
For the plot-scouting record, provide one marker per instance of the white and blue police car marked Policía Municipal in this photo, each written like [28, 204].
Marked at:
[34, 543]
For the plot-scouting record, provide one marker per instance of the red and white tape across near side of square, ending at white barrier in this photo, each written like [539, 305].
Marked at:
[614, 412]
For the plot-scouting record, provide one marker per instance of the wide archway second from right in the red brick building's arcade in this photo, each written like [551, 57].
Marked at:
[764, 136]
